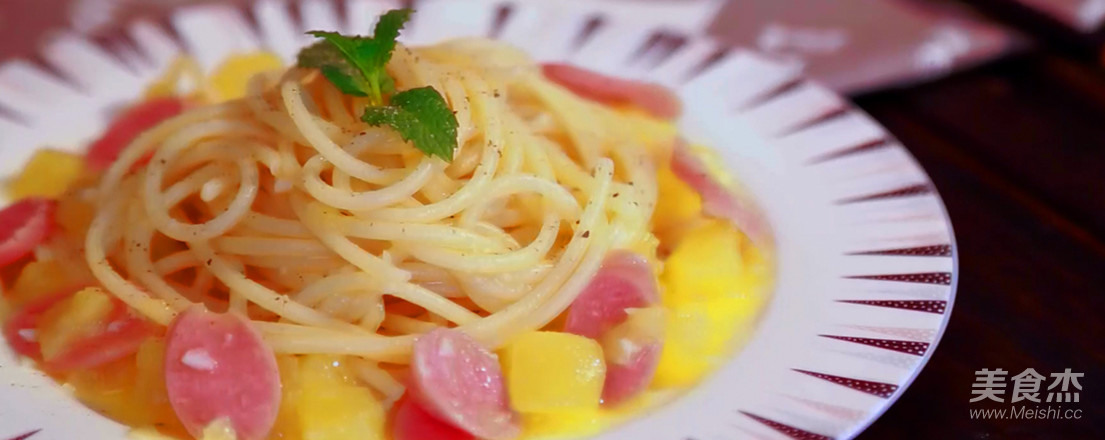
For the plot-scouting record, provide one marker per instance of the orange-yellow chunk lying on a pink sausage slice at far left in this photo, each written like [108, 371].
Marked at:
[77, 318]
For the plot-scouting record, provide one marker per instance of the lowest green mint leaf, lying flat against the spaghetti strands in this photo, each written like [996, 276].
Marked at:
[423, 118]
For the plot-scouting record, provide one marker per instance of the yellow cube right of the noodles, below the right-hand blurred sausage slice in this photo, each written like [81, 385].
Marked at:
[706, 266]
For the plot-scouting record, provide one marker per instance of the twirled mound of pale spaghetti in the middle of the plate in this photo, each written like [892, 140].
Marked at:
[339, 238]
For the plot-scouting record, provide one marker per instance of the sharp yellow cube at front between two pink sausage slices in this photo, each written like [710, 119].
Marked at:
[553, 372]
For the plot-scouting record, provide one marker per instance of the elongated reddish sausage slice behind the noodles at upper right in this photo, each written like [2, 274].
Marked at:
[654, 99]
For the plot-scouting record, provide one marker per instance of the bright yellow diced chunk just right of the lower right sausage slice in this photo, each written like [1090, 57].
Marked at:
[700, 338]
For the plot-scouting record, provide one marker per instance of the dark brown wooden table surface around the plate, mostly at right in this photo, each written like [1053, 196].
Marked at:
[1017, 150]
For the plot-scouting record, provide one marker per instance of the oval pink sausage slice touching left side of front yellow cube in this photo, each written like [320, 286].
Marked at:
[461, 383]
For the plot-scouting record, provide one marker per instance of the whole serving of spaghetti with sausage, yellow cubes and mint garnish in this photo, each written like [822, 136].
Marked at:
[382, 243]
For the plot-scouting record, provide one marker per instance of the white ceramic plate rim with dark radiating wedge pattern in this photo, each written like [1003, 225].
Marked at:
[867, 266]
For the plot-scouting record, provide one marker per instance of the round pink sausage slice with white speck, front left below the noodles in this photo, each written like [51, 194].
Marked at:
[218, 368]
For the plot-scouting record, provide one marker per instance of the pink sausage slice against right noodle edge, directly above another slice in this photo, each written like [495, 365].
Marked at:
[626, 281]
